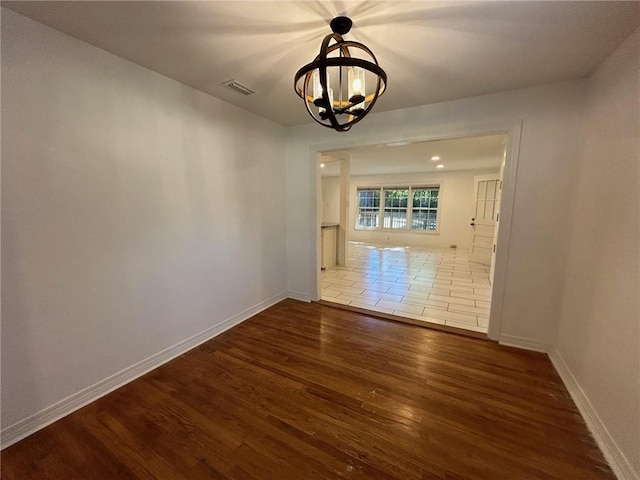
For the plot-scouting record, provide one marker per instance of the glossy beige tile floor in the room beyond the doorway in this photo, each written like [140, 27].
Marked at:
[432, 285]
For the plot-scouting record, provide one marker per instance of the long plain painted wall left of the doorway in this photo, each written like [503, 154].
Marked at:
[137, 212]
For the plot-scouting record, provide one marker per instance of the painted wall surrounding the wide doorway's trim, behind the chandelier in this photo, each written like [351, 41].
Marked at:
[551, 118]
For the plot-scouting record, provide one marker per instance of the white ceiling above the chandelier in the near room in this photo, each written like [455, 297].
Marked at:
[431, 51]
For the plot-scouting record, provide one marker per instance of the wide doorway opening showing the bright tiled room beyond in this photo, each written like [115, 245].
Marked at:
[417, 222]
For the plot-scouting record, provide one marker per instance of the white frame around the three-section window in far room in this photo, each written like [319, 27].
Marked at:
[411, 187]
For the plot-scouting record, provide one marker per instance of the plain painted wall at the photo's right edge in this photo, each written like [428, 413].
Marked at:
[599, 327]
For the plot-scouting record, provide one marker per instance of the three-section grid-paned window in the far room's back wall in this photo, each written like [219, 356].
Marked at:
[403, 208]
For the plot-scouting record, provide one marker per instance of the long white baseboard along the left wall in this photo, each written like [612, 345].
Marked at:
[47, 416]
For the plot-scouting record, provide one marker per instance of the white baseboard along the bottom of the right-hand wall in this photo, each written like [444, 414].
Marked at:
[621, 467]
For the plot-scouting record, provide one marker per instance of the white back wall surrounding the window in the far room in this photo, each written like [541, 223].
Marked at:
[455, 208]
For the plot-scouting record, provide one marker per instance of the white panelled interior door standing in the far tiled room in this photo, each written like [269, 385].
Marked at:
[486, 200]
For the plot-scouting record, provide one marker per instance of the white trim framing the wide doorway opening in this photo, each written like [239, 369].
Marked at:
[512, 129]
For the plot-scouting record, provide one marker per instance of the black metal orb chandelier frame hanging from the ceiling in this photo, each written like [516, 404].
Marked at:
[339, 26]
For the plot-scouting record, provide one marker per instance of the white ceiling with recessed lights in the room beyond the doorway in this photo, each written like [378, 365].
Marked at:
[455, 154]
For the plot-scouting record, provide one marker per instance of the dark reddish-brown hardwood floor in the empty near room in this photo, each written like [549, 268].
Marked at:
[306, 391]
